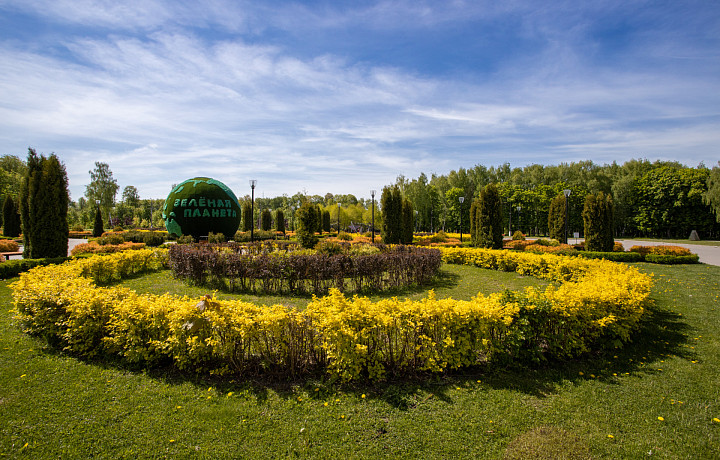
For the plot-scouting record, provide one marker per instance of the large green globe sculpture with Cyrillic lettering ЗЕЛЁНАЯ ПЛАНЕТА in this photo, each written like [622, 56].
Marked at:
[199, 206]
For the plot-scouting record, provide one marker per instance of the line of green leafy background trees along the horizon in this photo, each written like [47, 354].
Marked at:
[651, 199]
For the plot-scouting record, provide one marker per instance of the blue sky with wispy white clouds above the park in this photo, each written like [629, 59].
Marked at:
[344, 96]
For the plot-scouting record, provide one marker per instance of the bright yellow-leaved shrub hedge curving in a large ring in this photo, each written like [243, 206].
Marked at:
[349, 337]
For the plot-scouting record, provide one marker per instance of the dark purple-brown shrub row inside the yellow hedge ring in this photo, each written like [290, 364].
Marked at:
[232, 267]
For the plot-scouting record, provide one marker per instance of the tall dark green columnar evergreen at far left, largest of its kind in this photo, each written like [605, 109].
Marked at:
[44, 200]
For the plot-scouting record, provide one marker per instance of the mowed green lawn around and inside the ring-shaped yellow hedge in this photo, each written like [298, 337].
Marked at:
[658, 396]
